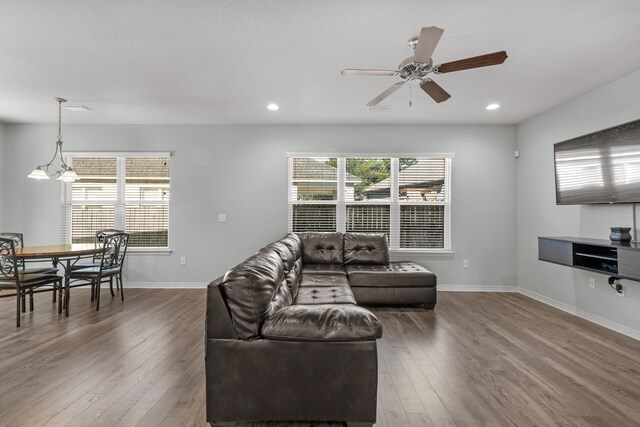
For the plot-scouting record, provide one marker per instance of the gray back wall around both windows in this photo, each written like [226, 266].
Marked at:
[242, 171]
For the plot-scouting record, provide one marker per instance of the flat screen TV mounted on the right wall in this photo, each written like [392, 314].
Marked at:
[602, 167]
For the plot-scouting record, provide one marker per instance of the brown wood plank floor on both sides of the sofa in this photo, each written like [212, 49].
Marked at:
[478, 359]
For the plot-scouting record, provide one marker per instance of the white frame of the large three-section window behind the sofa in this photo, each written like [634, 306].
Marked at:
[394, 204]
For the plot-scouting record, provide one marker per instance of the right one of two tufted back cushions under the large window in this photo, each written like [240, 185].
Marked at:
[366, 248]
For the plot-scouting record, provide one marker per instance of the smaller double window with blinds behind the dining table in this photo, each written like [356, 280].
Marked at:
[124, 191]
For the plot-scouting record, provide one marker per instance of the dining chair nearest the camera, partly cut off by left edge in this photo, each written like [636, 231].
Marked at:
[13, 277]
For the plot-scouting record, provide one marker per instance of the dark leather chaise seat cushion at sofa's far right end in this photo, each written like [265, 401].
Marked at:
[399, 274]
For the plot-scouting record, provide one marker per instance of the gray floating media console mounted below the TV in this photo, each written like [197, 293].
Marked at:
[602, 256]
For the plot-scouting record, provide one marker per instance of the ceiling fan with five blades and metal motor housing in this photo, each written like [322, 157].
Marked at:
[416, 69]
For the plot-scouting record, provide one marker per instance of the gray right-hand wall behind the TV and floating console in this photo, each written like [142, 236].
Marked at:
[538, 214]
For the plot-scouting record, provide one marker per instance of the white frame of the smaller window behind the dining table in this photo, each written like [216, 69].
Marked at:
[120, 203]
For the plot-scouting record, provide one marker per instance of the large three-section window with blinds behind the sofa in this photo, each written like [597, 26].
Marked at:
[407, 198]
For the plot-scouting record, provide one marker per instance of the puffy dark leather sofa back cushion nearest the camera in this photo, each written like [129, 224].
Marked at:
[249, 289]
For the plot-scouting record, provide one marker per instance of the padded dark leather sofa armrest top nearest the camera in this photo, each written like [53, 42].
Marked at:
[324, 322]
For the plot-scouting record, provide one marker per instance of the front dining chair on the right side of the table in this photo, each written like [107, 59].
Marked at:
[114, 249]
